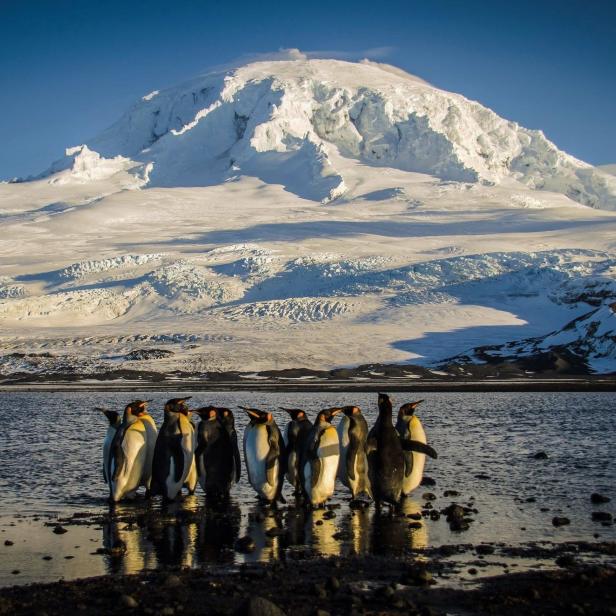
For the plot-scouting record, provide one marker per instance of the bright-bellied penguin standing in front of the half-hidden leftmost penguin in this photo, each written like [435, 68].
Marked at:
[127, 456]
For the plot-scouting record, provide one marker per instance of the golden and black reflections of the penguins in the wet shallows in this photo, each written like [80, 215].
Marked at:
[192, 533]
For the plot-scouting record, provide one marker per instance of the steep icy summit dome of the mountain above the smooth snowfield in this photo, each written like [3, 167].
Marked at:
[287, 122]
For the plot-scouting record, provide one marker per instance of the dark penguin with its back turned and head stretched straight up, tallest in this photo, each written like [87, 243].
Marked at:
[385, 457]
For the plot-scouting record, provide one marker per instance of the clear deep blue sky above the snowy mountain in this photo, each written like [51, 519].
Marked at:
[69, 68]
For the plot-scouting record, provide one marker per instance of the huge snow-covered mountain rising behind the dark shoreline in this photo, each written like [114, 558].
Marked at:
[302, 213]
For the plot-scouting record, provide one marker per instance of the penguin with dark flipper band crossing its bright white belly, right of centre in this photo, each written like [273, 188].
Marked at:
[319, 463]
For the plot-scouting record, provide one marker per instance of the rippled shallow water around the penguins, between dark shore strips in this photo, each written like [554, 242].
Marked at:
[50, 466]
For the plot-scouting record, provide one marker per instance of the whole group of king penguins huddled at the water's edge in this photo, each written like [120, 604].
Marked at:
[384, 464]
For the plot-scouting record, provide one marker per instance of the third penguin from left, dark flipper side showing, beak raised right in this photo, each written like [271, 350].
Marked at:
[174, 452]
